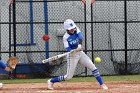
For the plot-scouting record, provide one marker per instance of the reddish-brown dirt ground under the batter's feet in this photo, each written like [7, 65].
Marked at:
[79, 87]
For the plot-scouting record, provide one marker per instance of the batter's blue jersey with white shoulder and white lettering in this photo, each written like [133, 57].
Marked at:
[71, 41]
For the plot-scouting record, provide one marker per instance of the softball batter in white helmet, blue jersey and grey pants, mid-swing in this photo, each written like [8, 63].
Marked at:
[72, 40]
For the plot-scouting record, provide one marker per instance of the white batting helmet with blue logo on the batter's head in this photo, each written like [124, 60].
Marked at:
[69, 24]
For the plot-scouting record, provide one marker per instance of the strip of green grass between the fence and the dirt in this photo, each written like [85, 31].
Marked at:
[78, 79]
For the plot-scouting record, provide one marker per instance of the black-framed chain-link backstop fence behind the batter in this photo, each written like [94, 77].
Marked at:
[110, 28]
